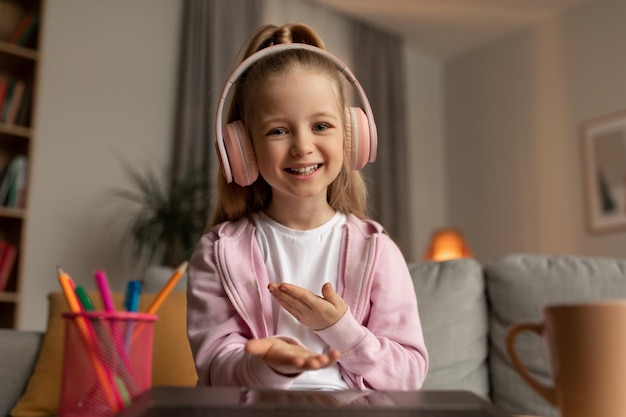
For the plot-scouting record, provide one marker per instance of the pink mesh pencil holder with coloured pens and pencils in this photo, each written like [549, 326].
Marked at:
[107, 362]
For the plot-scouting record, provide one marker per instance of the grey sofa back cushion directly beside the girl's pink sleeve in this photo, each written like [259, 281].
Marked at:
[453, 311]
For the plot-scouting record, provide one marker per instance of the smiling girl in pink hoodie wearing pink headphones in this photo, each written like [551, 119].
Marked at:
[292, 287]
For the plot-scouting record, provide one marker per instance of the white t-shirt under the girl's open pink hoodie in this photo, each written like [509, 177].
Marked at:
[307, 258]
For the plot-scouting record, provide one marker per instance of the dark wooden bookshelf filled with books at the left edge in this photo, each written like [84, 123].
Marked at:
[19, 64]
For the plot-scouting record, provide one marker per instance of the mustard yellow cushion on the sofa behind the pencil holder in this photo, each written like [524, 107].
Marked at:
[172, 361]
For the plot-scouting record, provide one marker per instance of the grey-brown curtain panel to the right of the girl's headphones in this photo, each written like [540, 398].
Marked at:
[379, 66]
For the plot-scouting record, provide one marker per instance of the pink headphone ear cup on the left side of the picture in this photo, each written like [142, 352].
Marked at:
[240, 153]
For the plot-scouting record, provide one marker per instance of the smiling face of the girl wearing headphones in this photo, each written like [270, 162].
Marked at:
[297, 131]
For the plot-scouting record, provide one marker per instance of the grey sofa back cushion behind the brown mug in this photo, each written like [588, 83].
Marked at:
[518, 286]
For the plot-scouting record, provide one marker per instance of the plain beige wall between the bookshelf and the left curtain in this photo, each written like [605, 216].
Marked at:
[107, 90]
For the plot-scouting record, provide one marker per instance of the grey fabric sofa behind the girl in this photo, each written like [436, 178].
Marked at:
[465, 309]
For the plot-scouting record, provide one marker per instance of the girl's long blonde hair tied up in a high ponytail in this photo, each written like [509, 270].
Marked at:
[347, 193]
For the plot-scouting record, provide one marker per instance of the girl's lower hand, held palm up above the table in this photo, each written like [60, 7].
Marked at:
[288, 358]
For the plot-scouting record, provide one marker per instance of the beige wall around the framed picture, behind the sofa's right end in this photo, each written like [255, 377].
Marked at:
[513, 114]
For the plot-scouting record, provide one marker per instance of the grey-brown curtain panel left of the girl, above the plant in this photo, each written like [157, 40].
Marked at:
[213, 32]
